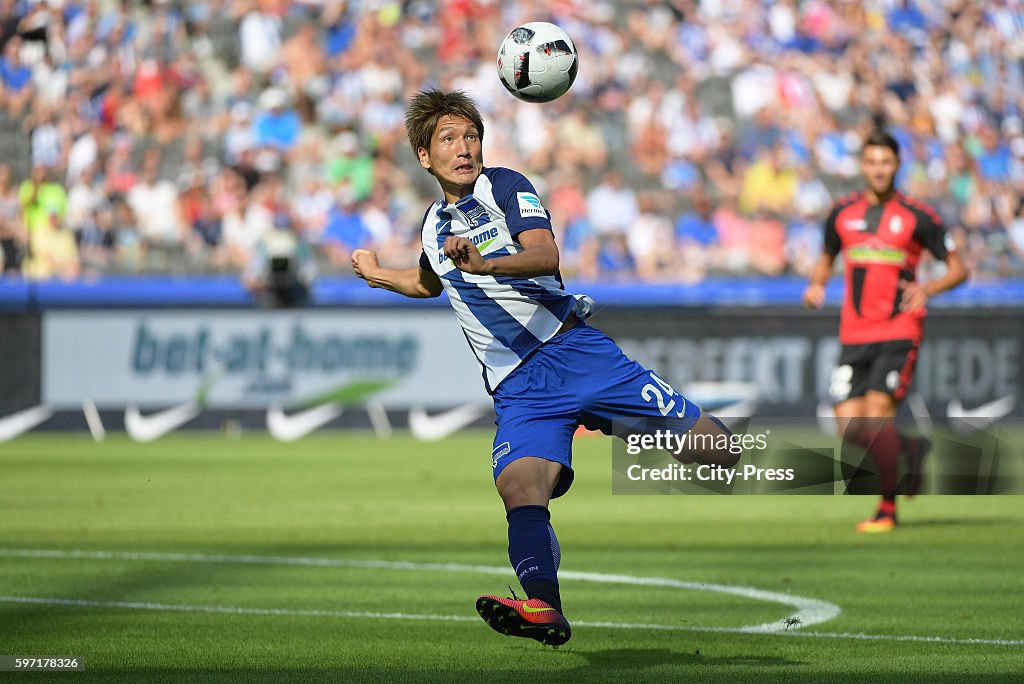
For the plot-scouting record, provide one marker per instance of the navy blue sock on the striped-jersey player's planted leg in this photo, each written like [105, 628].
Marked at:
[535, 553]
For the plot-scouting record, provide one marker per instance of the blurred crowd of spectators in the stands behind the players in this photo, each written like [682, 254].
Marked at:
[701, 138]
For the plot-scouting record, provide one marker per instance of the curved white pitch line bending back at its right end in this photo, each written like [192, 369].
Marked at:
[809, 612]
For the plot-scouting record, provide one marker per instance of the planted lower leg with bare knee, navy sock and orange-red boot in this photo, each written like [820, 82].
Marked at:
[526, 487]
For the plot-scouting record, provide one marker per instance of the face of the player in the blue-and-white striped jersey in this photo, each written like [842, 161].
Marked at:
[456, 155]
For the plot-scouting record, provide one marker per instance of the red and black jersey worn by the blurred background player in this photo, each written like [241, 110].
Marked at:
[881, 246]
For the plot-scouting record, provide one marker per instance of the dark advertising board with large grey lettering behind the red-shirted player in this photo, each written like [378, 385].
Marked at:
[969, 357]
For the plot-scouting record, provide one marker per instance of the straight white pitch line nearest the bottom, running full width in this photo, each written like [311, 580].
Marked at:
[225, 610]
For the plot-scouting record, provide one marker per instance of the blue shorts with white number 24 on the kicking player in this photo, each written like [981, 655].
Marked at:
[578, 378]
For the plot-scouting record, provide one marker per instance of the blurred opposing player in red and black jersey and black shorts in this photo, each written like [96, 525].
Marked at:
[881, 234]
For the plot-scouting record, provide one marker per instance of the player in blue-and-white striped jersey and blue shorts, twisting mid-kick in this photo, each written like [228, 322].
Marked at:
[488, 244]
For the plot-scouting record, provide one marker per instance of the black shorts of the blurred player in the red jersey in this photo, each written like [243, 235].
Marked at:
[883, 367]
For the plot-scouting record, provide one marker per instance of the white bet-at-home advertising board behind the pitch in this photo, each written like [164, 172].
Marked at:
[244, 360]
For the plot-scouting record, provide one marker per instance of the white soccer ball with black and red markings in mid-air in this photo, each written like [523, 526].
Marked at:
[537, 62]
